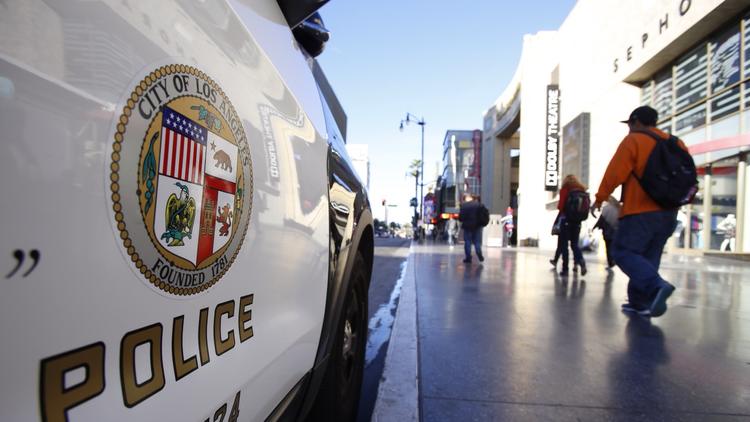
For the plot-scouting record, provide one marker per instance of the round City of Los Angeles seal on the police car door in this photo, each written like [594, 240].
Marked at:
[180, 180]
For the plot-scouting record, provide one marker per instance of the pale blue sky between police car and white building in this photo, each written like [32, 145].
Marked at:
[446, 61]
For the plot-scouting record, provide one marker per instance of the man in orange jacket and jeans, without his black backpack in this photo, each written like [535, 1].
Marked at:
[644, 225]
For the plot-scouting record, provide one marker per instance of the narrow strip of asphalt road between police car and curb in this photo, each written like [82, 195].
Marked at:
[390, 255]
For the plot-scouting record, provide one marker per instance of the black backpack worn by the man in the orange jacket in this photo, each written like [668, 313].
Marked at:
[670, 177]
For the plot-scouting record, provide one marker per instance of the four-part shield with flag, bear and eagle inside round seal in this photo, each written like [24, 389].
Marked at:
[197, 188]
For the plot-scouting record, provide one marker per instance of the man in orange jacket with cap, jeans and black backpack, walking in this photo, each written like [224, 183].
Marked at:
[649, 206]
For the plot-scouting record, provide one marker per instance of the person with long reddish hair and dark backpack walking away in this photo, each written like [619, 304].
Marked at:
[573, 206]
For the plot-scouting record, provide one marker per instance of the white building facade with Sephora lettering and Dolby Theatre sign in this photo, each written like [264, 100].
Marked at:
[690, 60]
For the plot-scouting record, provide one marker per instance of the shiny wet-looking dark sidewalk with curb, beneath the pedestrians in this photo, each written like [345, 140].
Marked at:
[511, 340]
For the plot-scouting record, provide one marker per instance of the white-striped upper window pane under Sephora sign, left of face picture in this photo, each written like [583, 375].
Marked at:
[690, 76]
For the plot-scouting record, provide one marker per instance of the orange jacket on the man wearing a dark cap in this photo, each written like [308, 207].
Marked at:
[630, 158]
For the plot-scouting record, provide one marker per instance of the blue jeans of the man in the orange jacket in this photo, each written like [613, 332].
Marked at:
[638, 246]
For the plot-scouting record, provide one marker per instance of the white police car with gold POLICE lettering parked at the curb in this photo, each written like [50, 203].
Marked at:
[183, 236]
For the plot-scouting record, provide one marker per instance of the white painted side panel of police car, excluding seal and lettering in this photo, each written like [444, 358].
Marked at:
[69, 69]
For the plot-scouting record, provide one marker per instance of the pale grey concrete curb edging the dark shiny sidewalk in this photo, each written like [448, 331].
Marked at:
[398, 393]
